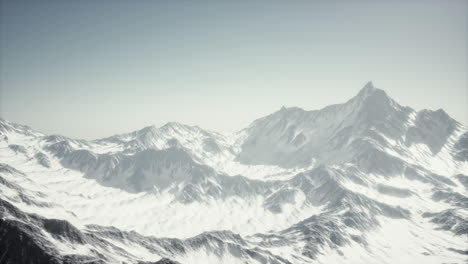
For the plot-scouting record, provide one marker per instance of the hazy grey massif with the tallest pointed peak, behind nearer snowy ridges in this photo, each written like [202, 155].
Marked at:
[368, 122]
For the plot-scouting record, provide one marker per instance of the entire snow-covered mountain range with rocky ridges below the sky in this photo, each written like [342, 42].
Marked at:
[366, 181]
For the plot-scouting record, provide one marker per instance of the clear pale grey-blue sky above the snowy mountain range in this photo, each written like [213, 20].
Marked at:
[89, 69]
